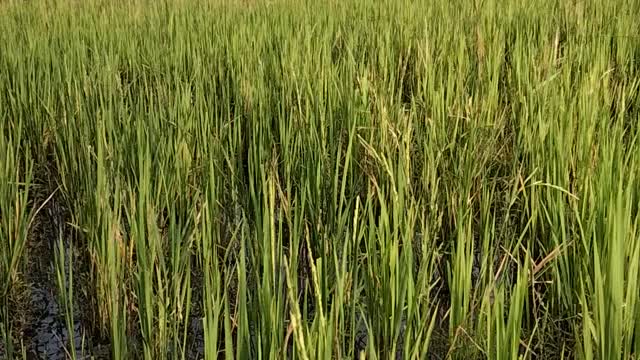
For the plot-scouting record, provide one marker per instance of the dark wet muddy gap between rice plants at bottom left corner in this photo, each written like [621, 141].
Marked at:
[46, 334]
